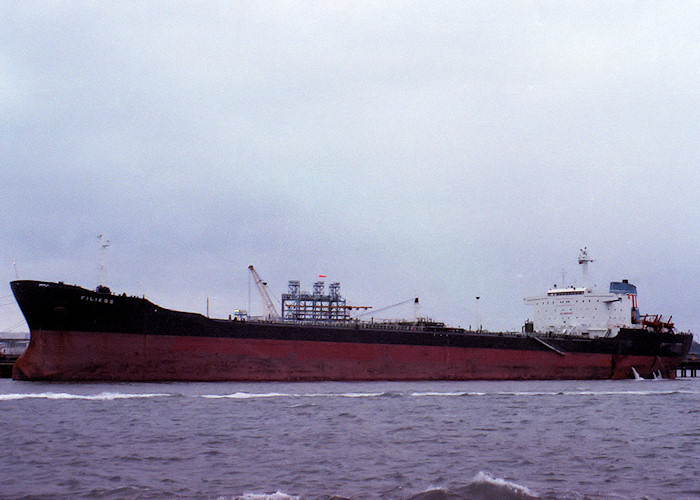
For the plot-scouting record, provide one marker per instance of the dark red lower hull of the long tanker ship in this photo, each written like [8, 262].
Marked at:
[129, 357]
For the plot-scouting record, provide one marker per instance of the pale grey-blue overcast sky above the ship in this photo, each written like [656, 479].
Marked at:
[442, 149]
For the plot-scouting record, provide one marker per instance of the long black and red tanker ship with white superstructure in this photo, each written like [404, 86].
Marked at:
[576, 333]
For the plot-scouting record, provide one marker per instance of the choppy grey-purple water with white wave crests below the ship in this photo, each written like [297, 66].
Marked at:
[417, 440]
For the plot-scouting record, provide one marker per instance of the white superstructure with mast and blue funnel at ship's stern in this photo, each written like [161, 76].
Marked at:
[583, 311]
